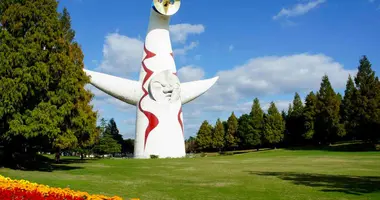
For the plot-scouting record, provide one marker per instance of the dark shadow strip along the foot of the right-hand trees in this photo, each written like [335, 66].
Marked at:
[343, 147]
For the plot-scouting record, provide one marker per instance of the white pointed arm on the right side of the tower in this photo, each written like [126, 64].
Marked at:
[192, 90]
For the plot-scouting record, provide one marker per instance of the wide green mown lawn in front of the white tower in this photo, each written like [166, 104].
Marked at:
[276, 174]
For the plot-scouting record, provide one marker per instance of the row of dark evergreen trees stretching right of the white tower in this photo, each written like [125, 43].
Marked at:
[325, 118]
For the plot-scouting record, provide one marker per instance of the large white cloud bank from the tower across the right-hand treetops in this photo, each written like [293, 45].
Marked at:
[267, 78]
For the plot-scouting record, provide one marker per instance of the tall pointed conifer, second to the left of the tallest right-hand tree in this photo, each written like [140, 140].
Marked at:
[328, 126]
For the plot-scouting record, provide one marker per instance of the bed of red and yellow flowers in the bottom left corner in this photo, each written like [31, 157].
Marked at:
[21, 189]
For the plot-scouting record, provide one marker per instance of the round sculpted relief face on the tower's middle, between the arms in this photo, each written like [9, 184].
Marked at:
[164, 87]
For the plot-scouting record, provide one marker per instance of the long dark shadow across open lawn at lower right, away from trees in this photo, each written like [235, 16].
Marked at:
[355, 185]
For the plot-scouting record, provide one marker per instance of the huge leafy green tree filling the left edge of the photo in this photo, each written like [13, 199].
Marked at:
[43, 103]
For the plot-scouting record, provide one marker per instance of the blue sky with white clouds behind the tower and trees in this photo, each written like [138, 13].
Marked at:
[264, 49]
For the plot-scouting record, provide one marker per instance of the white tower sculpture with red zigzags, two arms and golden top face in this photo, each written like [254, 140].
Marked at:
[158, 95]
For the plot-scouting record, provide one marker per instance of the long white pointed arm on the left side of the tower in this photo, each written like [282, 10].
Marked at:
[125, 90]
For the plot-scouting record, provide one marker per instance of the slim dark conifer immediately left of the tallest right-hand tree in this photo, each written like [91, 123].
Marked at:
[348, 108]
